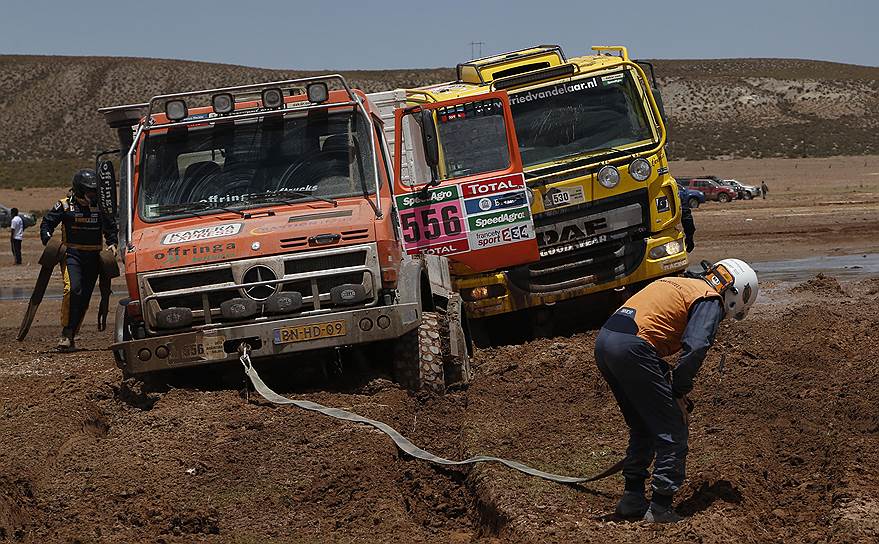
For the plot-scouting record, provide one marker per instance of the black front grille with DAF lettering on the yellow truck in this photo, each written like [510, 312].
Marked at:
[589, 244]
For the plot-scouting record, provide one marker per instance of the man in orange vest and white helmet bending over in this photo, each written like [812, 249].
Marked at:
[669, 315]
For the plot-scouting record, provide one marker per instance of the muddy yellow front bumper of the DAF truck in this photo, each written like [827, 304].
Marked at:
[515, 298]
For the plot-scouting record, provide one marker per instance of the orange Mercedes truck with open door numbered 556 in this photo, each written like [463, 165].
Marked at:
[269, 215]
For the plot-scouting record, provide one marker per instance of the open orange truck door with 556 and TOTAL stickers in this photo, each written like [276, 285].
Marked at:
[459, 186]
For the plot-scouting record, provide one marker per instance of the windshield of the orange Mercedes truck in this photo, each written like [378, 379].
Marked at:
[314, 155]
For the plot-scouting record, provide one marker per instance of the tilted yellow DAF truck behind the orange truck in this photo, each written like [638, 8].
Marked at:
[591, 135]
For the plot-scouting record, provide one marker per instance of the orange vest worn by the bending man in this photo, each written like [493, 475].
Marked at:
[662, 309]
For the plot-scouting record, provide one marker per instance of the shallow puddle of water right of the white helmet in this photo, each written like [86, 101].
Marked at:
[838, 266]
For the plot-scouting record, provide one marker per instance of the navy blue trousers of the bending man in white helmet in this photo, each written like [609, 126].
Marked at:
[641, 384]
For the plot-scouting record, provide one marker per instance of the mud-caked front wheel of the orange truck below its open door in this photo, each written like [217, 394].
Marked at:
[418, 356]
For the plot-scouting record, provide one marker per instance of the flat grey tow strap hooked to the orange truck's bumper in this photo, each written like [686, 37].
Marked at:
[401, 441]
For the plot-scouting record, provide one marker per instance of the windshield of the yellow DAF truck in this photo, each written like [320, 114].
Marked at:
[567, 119]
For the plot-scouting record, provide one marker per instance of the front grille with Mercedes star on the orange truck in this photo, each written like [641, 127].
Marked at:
[313, 274]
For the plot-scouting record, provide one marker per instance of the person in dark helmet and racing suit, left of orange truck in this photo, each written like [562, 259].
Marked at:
[83, 226]
